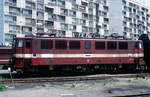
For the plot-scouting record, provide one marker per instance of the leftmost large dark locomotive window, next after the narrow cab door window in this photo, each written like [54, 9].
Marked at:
[46, 44]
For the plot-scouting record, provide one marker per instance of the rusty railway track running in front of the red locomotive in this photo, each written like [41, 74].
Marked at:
[77, 78]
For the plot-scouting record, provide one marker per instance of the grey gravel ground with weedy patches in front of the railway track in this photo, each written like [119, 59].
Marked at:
[98, 88]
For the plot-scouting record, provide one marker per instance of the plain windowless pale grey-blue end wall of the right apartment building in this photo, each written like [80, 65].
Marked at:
[115, 16]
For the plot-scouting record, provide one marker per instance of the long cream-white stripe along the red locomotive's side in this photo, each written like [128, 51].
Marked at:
[76, 55]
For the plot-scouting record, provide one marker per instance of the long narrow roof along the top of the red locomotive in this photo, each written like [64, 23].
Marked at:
[72, 38]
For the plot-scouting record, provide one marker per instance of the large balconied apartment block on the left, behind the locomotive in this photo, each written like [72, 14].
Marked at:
[64, 18]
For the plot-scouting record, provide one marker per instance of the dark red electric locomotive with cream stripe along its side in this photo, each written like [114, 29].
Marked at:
[36, 53]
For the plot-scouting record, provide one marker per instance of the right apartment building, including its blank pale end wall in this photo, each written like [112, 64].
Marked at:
[129, 18]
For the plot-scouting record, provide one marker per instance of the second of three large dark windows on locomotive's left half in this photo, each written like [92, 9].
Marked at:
[61, 44]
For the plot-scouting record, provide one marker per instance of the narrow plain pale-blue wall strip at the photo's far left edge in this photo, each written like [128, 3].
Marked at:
[1, 23]
